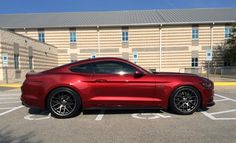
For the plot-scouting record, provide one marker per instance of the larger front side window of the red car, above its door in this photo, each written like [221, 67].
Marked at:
[113, 67]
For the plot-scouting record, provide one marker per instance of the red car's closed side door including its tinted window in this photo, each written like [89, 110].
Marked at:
[114, 85]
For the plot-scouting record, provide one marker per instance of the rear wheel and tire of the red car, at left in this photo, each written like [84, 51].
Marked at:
[64, 103]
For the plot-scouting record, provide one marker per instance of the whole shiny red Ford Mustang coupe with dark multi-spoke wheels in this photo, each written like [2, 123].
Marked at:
[113, 83]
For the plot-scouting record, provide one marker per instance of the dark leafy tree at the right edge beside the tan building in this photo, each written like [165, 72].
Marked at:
[229, 53]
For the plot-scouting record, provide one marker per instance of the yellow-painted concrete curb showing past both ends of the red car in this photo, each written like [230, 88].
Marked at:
[218, 83]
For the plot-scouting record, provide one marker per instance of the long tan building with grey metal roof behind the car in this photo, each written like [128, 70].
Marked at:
[162, 40]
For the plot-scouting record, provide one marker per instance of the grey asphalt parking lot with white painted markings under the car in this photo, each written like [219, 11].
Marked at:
[216, 124]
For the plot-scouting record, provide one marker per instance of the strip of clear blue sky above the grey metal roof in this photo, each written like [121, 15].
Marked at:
[45, 6]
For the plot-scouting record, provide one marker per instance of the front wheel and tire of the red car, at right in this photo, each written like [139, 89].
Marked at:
[185, 100]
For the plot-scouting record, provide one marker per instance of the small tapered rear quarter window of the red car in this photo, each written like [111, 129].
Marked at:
[84, 68]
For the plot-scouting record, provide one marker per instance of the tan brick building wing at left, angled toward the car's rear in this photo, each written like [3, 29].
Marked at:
[24, 55]
